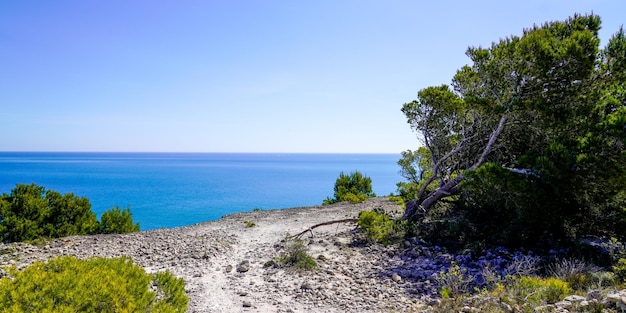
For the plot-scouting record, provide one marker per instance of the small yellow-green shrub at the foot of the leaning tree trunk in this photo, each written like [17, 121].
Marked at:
[379, 227]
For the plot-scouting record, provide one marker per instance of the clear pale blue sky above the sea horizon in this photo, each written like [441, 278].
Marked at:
[240, 76]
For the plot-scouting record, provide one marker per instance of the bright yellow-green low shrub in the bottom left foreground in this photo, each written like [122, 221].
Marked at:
[67, 284]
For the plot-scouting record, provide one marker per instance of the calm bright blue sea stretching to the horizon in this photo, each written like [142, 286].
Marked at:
[178, 189]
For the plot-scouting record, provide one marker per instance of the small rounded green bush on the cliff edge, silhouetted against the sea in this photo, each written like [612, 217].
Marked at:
[354, 188]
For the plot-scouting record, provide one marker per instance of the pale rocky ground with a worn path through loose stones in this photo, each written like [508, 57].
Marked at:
[351, 277]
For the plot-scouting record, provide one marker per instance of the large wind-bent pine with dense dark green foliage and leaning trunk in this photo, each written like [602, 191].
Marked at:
[529, 141]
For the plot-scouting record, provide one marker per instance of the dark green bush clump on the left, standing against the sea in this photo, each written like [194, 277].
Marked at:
[30, 212]
